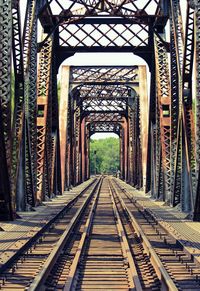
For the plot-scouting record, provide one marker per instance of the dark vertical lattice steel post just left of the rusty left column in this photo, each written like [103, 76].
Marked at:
[28, 168]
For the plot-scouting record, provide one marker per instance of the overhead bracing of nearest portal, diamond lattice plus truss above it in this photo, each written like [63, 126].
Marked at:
[101, 24]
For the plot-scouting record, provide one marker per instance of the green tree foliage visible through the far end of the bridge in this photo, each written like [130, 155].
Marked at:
[107, 155]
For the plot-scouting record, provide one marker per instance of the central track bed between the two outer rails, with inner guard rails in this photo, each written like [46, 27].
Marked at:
[100, 255]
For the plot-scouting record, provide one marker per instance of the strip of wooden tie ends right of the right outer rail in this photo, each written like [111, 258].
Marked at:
[188, 263]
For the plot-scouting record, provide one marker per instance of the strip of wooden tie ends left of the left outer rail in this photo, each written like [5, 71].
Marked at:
[21, 257]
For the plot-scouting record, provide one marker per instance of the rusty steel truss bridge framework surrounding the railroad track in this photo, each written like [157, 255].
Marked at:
[44, 149]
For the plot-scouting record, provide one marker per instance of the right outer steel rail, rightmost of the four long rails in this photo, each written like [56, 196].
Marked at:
[166, 281]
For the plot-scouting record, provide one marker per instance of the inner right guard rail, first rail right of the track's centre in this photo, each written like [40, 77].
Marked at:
[135, 282]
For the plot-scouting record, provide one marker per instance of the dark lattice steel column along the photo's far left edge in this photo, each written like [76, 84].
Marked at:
[7, 203]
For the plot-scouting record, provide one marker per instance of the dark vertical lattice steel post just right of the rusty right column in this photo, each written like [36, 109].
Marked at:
[177, 66]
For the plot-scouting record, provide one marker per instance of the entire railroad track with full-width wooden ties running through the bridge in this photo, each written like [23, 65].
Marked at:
[104, 241]
